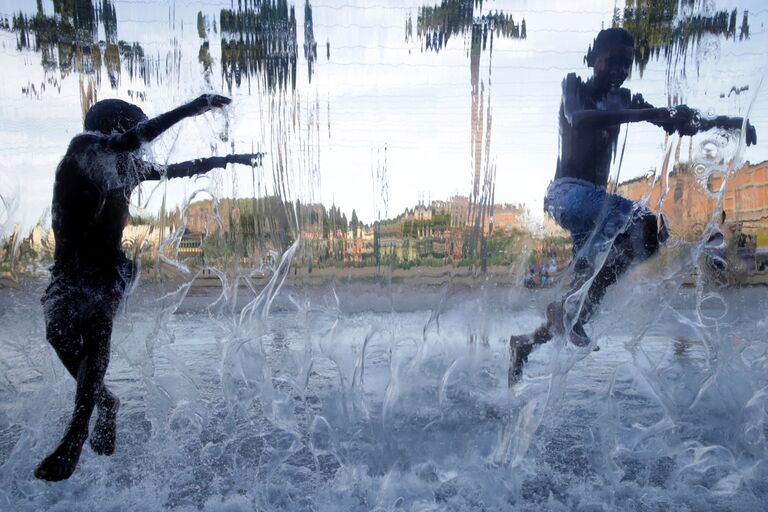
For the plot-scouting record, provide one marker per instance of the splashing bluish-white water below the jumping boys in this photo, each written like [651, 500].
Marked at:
[327, 406]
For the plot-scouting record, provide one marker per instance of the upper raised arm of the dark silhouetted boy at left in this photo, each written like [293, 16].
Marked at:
[150, 129]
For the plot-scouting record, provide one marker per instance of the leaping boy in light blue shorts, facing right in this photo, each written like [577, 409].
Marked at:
[602, 224]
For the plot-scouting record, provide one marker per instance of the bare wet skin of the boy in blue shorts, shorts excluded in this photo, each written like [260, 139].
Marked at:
[590, 116]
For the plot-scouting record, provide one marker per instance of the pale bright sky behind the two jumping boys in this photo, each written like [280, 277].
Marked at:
[376, 90]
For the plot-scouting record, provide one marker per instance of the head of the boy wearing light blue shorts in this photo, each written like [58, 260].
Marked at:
[611, 56]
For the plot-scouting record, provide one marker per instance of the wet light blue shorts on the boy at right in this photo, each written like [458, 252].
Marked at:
[590, 213]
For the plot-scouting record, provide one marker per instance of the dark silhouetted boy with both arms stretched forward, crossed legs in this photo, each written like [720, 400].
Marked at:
[90, 273]
